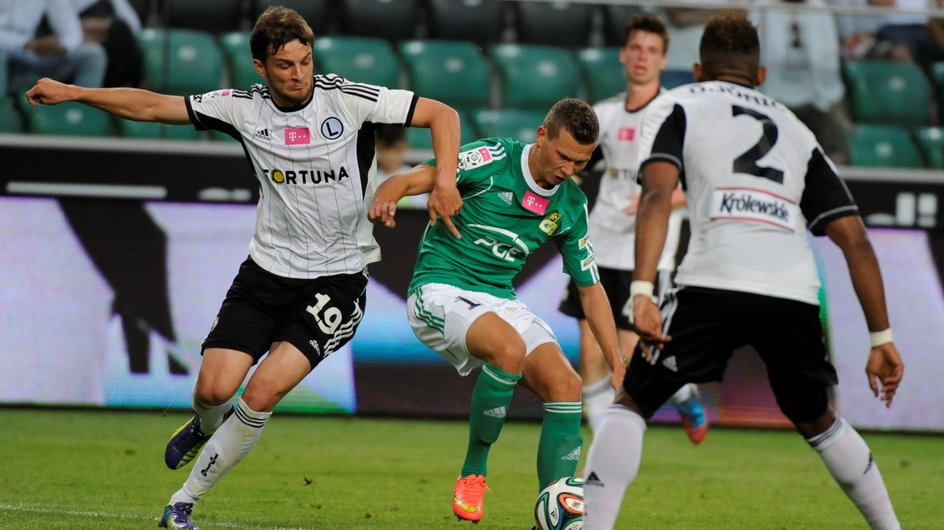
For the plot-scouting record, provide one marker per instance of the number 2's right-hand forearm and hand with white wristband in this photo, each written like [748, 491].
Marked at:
[884, 368]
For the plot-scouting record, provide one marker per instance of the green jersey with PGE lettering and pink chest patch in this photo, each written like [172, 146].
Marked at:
[504, 218]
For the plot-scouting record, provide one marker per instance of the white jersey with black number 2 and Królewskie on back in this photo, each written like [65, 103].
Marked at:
[755, 179]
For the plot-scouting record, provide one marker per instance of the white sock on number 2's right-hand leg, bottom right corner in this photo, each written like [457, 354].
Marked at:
[850, 461]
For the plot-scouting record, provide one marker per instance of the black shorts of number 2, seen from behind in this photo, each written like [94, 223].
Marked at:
[707, 325]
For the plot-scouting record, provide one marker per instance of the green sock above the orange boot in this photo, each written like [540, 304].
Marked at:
[490, 400]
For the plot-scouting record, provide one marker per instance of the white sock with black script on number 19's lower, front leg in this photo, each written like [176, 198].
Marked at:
[226, 448]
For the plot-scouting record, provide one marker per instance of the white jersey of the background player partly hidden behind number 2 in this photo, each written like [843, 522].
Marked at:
[612, 230]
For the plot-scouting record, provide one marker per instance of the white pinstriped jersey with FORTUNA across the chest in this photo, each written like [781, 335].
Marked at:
[316, 170]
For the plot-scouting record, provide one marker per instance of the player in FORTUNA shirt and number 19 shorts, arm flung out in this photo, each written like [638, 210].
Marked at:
[300, 295]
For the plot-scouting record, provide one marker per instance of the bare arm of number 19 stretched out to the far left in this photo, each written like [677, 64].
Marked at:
[129, 103]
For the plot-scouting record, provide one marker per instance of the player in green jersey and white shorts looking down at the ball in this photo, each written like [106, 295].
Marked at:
[461, 300]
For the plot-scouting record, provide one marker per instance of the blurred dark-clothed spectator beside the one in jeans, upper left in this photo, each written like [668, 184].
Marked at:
[114, 24]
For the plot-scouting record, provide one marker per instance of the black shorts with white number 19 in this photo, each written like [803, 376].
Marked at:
[316, 316]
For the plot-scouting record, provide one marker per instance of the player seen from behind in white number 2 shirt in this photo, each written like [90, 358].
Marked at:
[756, 180]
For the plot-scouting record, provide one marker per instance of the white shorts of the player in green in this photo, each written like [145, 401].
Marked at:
[441, 315]
